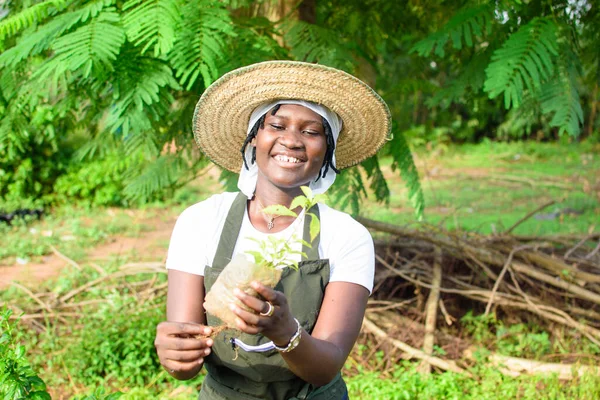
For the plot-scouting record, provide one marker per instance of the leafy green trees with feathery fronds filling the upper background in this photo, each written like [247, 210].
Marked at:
[89, 81]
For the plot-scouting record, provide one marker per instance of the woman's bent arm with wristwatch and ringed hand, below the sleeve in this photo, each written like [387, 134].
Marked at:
[320, 356]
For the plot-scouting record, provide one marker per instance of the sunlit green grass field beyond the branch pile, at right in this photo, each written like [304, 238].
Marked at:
[487, 188]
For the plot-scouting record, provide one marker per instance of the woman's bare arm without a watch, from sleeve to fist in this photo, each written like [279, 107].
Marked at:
[178, 350]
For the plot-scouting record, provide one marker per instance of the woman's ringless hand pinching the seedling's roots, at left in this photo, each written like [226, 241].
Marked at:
[179, 351]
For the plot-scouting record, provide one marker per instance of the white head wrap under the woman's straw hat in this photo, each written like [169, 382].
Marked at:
[248, 177]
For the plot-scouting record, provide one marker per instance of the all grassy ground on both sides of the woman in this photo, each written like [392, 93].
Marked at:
[484, 188]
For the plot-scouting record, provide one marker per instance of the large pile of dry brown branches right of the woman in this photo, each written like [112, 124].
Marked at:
[555, 278]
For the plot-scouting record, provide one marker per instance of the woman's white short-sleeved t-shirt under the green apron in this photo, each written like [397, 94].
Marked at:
[344, 242]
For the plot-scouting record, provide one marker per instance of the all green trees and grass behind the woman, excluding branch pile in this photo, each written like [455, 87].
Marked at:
[496, 103]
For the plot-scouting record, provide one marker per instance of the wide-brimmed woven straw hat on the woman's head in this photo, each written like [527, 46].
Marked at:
[223, 111]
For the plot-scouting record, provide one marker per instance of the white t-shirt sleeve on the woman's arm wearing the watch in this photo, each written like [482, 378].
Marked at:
[353, 256]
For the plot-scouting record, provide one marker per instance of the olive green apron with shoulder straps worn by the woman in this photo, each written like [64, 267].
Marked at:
[237, 374]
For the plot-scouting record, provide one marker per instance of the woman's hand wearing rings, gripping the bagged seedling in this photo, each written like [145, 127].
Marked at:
[279, 326]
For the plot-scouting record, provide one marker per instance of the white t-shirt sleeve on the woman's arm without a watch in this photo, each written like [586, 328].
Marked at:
[192, 234]
